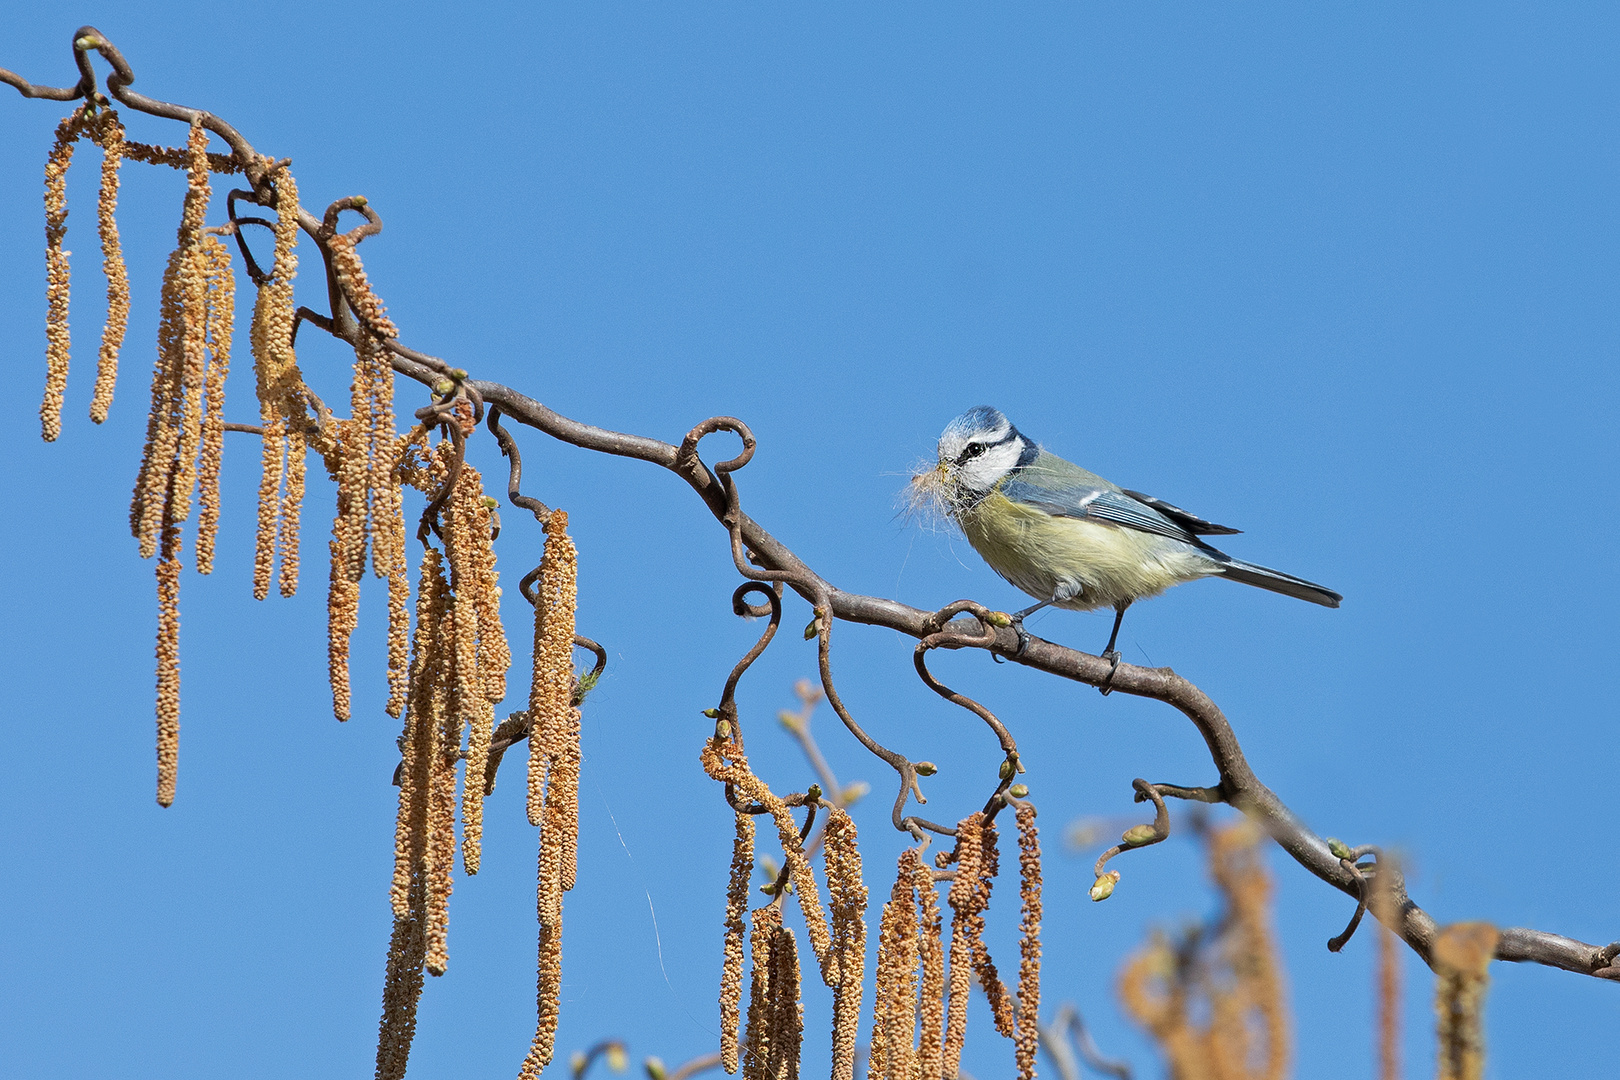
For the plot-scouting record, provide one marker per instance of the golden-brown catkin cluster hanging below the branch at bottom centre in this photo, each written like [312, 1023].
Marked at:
[911, 943]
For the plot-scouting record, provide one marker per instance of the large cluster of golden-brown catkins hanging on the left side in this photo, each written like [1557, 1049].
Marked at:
[448, 676]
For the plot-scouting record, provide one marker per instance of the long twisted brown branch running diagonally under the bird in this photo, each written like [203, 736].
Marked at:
[762, 558]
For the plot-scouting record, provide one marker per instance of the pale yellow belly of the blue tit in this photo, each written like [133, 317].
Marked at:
[1046, 555]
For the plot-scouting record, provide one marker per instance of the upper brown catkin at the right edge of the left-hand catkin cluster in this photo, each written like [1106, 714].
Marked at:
[553, 684]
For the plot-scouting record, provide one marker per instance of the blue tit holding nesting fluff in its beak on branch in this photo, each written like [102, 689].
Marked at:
[1068, 537]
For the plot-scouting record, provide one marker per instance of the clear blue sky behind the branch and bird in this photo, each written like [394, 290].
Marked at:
[1344, 279]
